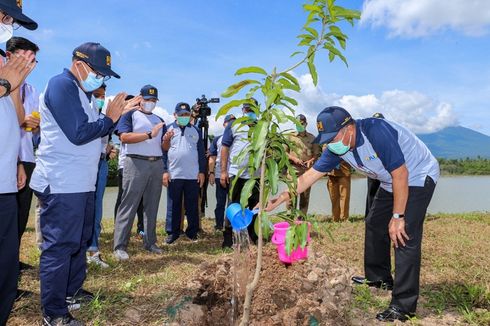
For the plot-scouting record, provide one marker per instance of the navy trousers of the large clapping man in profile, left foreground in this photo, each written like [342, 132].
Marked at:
[66, 224]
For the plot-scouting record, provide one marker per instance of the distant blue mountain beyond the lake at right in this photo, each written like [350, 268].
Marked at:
[457, 142]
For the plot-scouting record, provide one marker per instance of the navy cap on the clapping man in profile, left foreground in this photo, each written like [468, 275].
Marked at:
[97, 56]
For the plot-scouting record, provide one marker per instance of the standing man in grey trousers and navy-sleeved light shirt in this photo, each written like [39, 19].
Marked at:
[141, 133]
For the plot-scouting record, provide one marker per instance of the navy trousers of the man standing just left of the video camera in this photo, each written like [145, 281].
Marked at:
[188, 191]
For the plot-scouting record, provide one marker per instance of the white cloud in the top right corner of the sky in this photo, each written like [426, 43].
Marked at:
[418, 18]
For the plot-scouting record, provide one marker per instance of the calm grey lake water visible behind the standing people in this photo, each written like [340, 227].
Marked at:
[452, 195]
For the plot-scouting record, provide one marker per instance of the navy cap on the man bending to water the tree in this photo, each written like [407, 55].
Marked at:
[329, 122]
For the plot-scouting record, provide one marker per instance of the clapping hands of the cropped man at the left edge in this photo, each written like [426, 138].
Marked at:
[17, 69]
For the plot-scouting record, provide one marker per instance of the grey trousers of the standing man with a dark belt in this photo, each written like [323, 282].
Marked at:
[142, 180]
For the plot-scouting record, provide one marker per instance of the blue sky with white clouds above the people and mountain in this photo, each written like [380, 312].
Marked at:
[423, 63]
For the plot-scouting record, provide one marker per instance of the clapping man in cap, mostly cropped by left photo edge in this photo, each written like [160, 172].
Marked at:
[12, 176]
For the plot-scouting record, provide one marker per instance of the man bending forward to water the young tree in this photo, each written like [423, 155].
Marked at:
[408, 173]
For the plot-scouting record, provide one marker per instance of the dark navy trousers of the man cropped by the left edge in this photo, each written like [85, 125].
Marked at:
[9, 254]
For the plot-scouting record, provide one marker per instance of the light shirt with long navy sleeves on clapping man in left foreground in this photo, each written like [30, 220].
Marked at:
[69, 152]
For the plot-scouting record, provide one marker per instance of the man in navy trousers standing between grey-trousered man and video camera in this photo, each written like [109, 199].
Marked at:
[185, 164]
